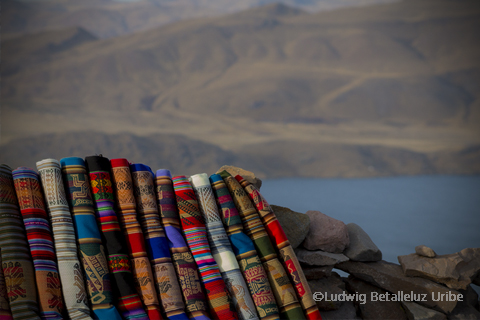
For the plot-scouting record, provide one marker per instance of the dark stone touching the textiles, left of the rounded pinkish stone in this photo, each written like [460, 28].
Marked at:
[295, 224]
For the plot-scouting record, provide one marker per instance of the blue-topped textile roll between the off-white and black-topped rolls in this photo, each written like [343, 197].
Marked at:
[91, 250]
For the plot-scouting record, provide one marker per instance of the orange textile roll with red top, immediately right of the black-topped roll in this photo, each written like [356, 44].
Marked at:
[126, 209]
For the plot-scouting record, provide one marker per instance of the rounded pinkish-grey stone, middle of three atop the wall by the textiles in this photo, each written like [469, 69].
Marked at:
[326, 233]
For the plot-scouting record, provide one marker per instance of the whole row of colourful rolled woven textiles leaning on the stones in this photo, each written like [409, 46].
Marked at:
[107, 239]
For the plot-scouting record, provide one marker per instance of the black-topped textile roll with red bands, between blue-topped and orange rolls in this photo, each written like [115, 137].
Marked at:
[129, 303]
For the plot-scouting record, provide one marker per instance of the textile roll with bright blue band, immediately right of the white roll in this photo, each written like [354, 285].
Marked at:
[245, 252]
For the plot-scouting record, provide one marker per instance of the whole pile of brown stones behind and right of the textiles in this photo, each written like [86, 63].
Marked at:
[424, 286]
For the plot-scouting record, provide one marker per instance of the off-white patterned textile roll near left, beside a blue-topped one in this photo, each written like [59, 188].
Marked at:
[71, 274]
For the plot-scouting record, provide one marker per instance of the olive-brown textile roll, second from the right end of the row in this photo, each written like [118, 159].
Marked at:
[282, 288]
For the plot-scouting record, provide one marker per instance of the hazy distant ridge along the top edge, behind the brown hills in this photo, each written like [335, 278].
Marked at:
[107, 18]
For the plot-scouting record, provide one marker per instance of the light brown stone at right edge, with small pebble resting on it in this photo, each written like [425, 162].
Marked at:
[455, 270]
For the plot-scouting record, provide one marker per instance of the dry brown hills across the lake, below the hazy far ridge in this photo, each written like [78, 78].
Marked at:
[379, 90]
